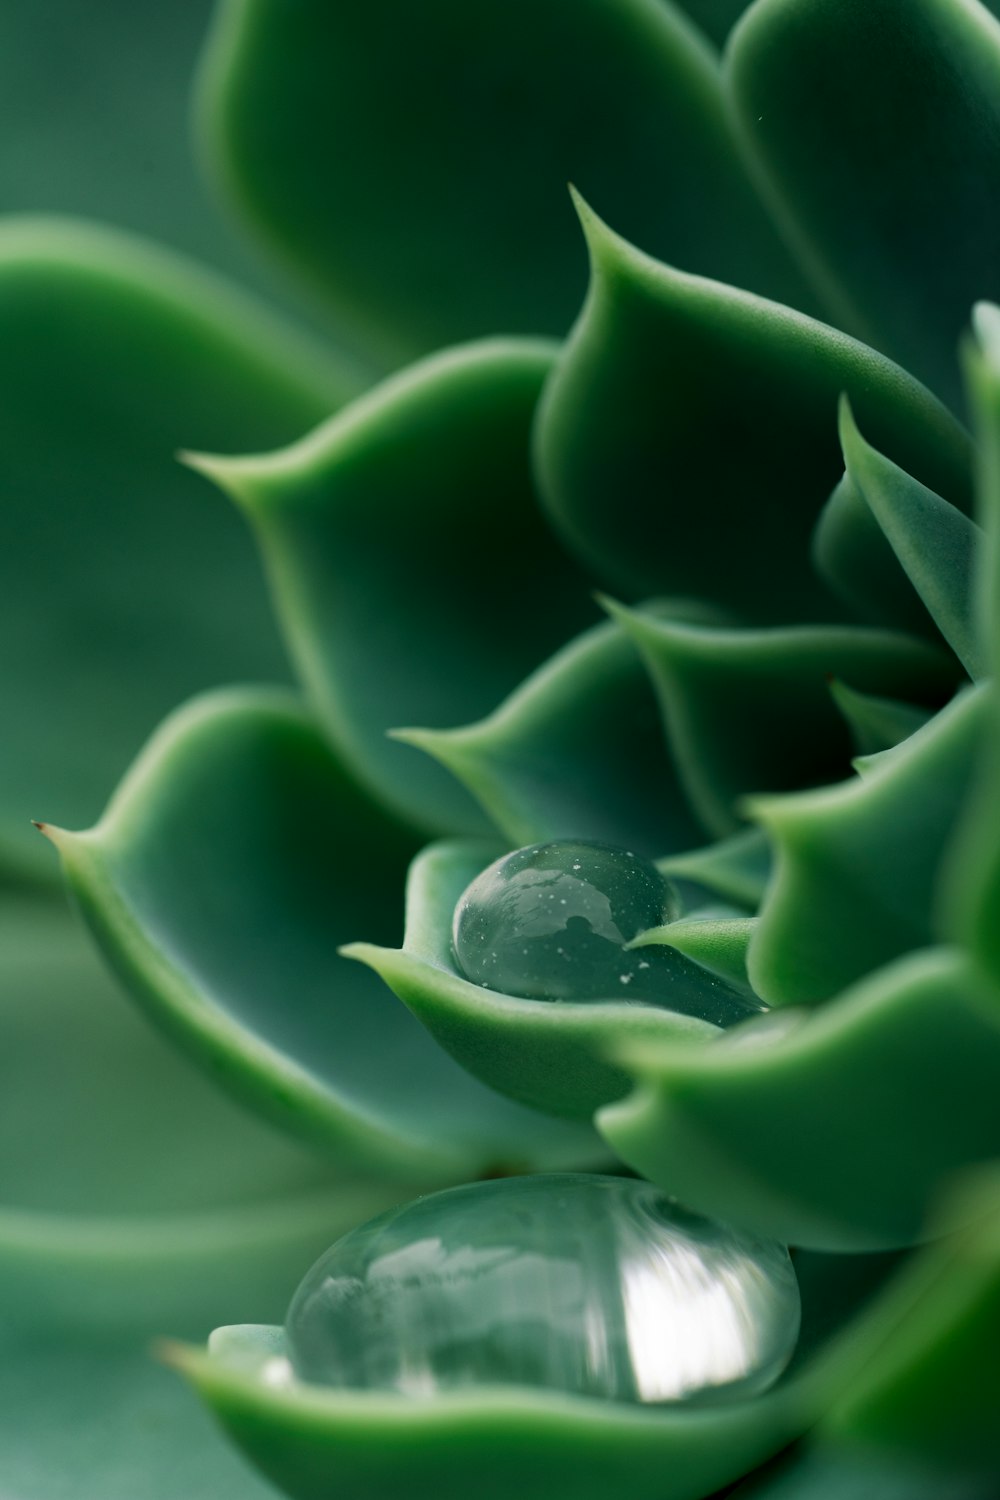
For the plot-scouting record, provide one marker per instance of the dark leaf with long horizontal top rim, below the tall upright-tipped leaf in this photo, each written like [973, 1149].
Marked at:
[752, 712]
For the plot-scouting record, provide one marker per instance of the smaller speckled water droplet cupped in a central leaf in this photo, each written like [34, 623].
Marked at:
[552, 923]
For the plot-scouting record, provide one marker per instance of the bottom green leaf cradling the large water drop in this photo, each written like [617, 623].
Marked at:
[314, 1441]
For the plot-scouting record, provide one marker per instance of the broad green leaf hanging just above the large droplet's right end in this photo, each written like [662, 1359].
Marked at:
[831, 1129]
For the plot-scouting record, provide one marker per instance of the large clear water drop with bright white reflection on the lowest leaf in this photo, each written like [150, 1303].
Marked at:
[585, 1285]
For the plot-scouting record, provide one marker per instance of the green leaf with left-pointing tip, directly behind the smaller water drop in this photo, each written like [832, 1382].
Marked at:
[576, 752]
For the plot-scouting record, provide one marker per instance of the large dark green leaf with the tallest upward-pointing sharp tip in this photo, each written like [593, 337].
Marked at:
[674, 389]
